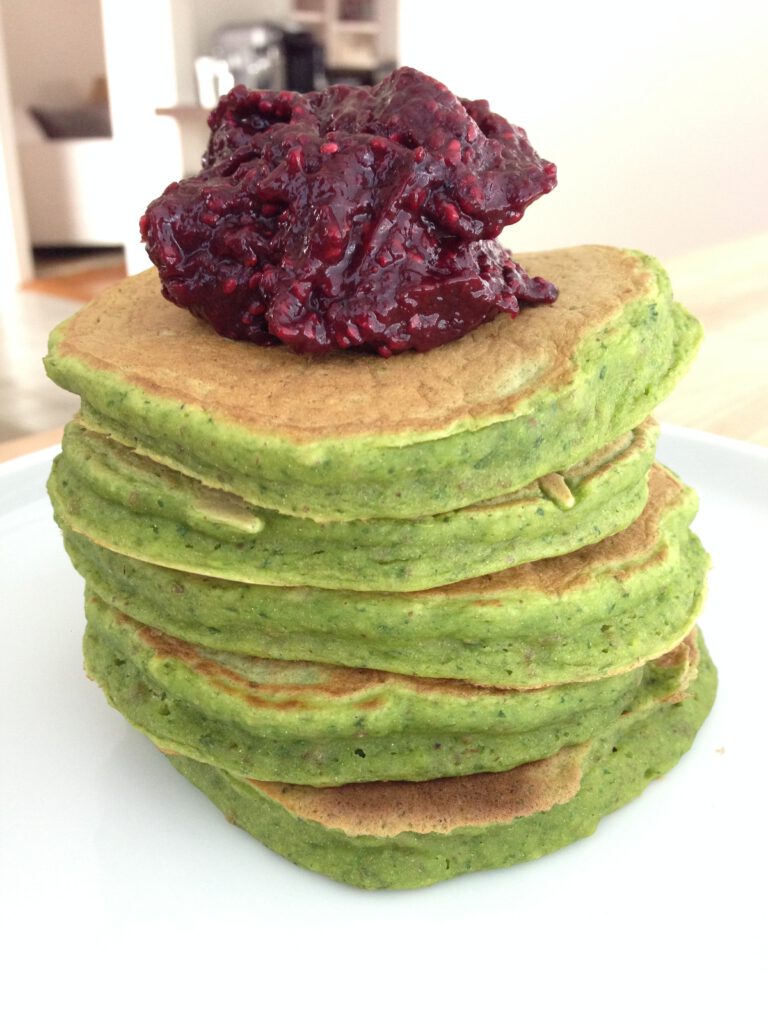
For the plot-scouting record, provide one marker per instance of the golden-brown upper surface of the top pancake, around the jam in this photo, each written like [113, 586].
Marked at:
[133, 332]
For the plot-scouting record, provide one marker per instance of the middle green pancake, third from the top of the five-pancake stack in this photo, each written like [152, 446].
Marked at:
[598, 612]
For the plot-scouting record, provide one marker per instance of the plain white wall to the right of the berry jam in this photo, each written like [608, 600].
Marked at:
[656, 114]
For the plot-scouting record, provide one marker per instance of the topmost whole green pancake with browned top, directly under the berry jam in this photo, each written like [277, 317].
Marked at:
[353, 437]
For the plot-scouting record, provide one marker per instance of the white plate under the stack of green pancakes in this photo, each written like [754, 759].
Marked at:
[123, 888]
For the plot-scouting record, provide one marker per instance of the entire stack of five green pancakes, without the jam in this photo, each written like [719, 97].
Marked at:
[400, 620]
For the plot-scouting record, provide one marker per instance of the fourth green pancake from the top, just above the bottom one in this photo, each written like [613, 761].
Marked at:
[300, 722]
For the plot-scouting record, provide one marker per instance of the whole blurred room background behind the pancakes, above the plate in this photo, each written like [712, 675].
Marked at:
[657, 116]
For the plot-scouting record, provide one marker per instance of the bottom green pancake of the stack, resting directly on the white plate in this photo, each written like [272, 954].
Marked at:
[408, 835]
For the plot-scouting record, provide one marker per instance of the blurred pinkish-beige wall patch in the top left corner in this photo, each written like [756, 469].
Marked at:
[54, 50]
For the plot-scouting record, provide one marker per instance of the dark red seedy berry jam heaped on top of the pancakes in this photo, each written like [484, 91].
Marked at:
[358, 219]
